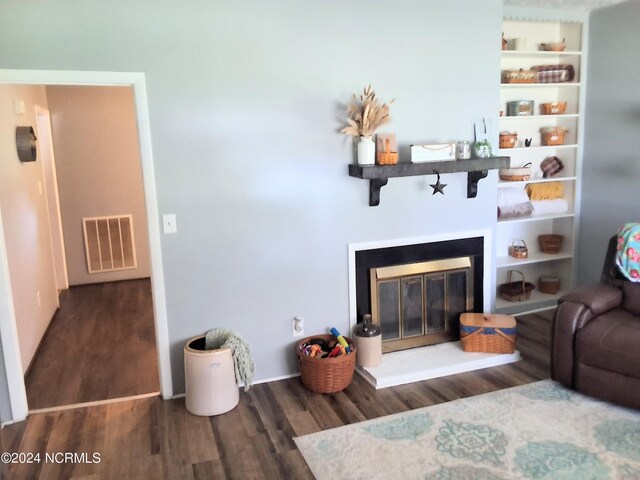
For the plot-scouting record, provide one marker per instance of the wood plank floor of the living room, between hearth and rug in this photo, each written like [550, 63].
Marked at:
[152, 438]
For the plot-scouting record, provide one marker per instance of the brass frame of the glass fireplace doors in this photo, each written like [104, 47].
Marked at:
[419, 270]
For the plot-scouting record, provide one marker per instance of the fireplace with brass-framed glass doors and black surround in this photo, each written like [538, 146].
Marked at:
[416, 293]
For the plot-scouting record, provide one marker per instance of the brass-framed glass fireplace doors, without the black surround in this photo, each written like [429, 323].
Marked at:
[420, 303]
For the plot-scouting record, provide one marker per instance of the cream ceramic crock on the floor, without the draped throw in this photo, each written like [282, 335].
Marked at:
[210, 379]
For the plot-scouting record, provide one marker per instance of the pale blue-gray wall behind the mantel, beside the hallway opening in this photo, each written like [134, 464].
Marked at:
[245, 102]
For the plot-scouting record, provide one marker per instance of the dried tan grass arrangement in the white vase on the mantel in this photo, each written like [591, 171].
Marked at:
[365, 114]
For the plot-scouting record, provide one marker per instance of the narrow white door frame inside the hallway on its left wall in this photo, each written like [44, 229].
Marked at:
[45, 141]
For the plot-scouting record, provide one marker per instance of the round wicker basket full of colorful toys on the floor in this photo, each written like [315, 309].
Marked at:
[326, 364]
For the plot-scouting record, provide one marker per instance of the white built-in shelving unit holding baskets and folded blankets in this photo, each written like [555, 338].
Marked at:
[527, 228]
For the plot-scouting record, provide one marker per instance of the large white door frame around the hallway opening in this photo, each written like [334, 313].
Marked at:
[8, 330]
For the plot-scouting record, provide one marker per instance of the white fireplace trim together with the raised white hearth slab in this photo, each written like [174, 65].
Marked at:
[440, 360]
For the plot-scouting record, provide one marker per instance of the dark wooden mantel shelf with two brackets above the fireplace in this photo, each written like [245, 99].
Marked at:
[379, 175]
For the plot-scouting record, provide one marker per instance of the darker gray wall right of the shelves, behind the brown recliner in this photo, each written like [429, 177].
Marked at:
[611, 169]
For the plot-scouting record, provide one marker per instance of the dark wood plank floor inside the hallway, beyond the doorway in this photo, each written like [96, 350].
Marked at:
[101, 345]
